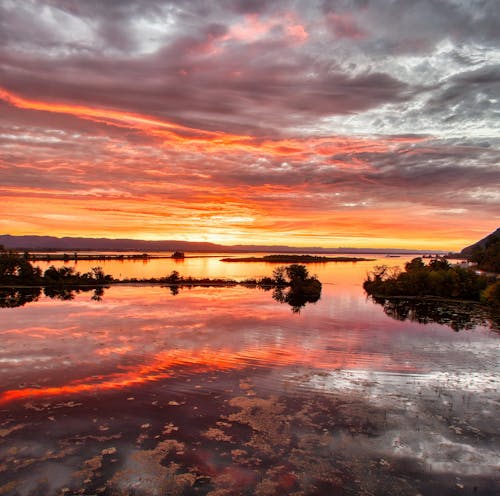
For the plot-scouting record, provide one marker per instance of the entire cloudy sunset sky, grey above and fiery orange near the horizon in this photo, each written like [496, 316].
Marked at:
[331, 123]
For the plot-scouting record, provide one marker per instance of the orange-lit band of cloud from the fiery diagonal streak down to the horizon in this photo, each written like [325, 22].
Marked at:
[228, 188]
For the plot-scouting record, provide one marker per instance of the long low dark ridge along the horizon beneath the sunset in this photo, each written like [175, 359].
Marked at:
[52, 243]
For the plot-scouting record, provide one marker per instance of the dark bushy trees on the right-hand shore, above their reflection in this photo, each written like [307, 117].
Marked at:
[439, 278]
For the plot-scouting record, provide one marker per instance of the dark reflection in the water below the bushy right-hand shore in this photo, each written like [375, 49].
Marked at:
[457, 315]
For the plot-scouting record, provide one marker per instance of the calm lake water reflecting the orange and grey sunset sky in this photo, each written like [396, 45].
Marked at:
[224, 391]
